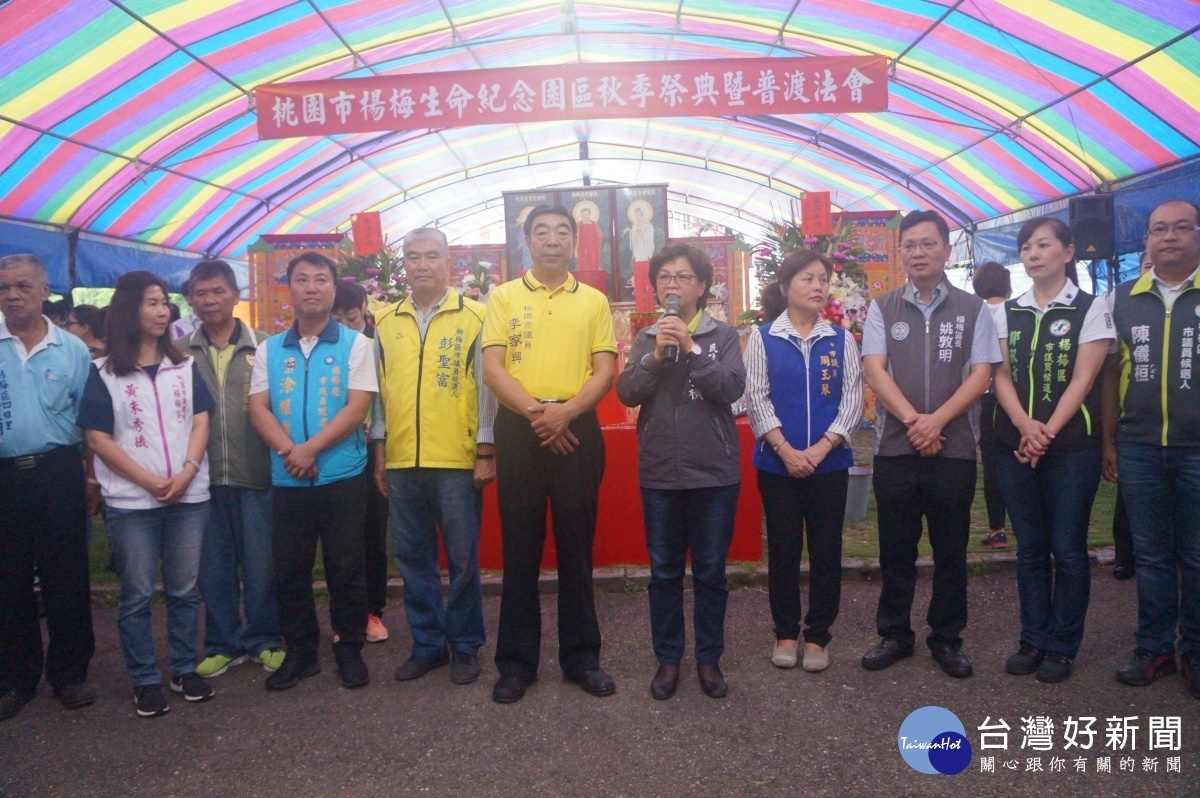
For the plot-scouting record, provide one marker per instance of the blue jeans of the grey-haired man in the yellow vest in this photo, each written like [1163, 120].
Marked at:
[421, 502]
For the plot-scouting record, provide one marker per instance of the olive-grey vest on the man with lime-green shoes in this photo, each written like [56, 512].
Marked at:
[238, 458]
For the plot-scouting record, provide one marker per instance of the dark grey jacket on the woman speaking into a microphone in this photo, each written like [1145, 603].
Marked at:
[686, 431]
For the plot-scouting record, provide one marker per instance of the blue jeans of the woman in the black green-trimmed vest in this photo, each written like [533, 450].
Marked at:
[1051, 507]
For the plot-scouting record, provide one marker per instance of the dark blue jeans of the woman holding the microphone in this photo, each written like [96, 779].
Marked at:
[677, 523]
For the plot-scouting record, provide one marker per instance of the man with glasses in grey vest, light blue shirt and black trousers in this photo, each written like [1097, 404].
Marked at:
[928, 353]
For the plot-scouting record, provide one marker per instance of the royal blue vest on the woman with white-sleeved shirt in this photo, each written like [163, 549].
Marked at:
[806, 397]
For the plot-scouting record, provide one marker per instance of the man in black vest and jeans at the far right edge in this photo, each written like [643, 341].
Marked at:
[1153, 442]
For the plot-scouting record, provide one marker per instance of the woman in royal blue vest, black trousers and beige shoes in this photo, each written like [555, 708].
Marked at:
[805, 395]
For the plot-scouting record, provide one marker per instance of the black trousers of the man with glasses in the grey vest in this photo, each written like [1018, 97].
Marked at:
[940, 490]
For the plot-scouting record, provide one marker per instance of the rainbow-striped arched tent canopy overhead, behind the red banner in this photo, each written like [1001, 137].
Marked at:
[135, 119]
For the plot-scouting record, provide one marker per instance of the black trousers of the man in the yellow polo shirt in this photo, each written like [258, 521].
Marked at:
[527, 475]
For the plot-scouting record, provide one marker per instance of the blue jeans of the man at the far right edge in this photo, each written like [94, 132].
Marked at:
[1162, 493]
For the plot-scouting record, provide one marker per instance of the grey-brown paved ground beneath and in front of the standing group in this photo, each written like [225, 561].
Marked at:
[778, 733]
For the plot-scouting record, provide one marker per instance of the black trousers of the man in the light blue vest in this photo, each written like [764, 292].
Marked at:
[334, 515]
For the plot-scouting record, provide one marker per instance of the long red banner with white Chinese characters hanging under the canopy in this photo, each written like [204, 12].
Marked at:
[574, 92]
